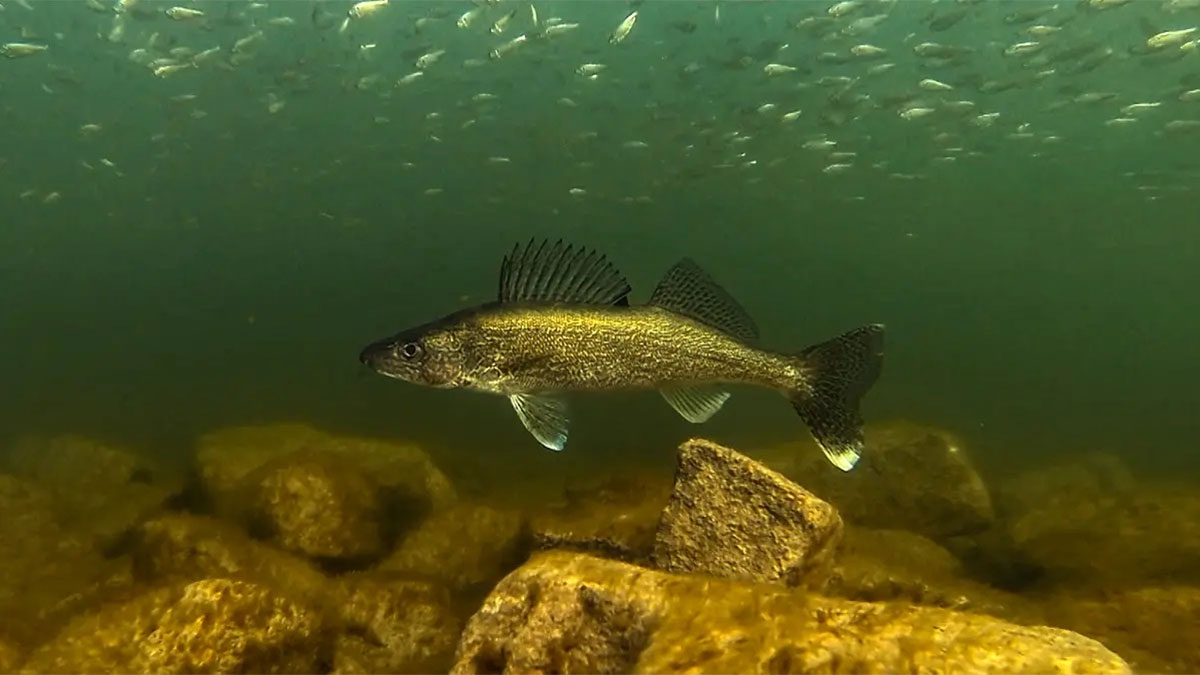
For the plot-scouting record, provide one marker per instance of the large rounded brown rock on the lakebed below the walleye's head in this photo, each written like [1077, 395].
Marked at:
[325, 495]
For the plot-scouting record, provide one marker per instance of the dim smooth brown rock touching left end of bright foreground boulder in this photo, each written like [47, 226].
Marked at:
[464, 547]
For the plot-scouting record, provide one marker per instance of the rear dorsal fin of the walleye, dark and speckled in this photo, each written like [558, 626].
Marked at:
[692, 292]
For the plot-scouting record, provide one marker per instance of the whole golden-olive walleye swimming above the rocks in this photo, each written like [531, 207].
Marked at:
[563, 324]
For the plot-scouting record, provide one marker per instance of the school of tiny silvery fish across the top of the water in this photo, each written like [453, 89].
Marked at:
[623, 99]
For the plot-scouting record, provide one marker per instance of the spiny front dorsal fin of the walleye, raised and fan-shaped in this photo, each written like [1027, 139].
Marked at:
[561, 273]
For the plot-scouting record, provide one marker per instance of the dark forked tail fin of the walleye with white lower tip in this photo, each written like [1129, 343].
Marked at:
[838, 374]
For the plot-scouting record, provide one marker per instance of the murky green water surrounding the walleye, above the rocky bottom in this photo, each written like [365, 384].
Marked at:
[213, 244]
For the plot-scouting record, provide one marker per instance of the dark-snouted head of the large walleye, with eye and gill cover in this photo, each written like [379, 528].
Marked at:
[429, 355]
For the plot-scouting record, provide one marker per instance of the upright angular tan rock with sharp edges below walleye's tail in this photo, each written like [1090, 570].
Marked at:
[731, 517]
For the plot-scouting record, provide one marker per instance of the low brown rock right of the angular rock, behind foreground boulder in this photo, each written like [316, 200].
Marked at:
[896, 565]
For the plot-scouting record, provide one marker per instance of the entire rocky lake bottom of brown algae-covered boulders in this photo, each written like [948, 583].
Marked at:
[287, 549]
